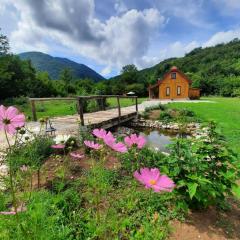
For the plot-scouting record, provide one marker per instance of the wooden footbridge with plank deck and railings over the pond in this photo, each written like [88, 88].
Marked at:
[104, 117]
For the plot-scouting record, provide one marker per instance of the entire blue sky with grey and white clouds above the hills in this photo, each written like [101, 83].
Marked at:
[108, 34]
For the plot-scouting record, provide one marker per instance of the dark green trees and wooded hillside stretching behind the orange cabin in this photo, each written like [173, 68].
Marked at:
[216, 70]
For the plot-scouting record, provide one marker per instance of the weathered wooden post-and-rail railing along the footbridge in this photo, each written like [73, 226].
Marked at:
[80, 103]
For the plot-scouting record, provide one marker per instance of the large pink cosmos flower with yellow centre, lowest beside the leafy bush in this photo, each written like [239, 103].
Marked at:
[152, 178]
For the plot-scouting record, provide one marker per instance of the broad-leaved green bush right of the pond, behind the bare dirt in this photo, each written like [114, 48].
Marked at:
[205, 169]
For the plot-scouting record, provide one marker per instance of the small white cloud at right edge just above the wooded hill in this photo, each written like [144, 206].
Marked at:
[222, 37]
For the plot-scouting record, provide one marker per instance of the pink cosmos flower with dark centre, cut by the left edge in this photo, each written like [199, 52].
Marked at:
[10, 119]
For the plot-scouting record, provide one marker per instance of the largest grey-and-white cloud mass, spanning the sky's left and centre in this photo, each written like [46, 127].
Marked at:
[72, 24]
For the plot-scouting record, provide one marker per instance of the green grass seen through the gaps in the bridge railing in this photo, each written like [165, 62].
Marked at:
[62, 108]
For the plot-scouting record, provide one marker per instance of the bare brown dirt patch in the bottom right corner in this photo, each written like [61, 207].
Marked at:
[209, 225]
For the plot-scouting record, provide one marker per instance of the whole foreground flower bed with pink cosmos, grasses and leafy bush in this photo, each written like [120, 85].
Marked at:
[95, 190]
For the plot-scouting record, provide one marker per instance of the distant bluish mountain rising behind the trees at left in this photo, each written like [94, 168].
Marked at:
[54, 66]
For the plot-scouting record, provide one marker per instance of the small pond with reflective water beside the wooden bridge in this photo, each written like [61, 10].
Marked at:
[158, 139]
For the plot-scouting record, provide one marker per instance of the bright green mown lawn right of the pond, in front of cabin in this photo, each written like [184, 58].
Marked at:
[225, 111]
